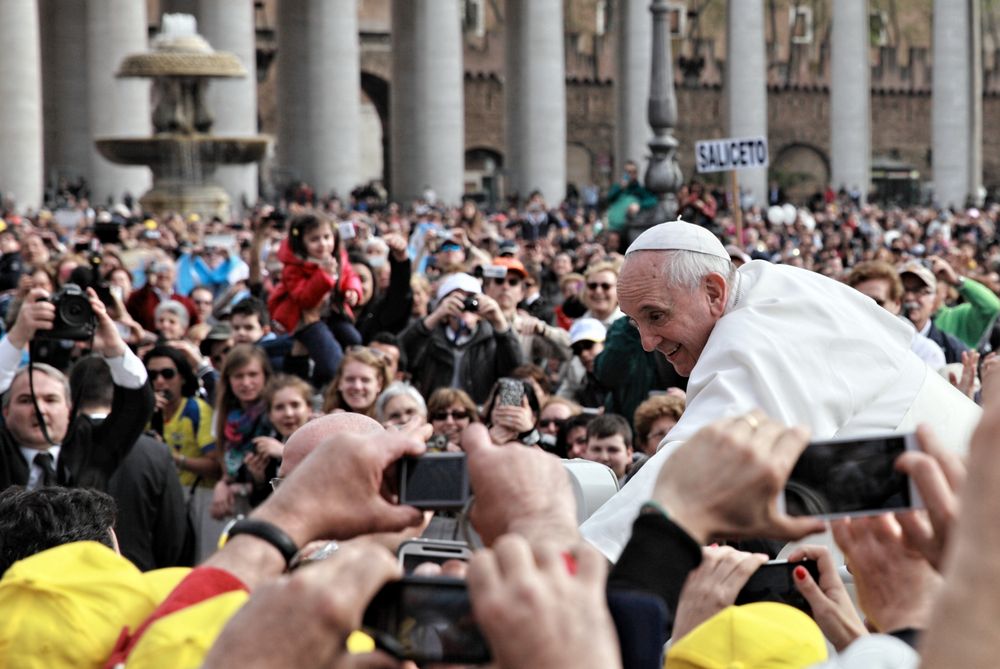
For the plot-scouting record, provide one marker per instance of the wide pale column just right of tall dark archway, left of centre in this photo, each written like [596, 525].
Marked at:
[426, 102]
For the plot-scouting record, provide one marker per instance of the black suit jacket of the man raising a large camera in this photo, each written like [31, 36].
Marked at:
[90, 454]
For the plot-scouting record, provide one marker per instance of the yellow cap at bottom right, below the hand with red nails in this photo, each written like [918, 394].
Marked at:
[760, 635]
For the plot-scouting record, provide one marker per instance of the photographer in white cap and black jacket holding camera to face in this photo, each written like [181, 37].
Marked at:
[466, 342]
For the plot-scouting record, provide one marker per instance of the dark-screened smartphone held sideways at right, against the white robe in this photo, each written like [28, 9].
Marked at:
[850, 477]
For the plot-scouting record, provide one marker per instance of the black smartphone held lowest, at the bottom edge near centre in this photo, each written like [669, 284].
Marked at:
[426, 619]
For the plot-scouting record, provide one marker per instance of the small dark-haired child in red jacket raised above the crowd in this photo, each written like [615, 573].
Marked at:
[316, 270]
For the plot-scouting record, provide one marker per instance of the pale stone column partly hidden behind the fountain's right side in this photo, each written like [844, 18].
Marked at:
[228, 25]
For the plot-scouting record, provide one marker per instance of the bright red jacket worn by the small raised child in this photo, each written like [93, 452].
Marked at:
[304, 284]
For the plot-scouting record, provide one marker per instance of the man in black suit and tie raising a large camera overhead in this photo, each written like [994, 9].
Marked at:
[69, 450]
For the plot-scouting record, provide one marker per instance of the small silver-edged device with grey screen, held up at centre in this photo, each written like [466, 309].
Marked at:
[435, 481]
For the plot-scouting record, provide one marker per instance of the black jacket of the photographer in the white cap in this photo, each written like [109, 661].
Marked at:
[484, 358]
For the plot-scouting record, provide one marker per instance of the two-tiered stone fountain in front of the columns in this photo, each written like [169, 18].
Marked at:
[182, 154]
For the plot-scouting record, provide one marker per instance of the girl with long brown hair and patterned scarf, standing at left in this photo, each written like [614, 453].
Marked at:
[240, 417]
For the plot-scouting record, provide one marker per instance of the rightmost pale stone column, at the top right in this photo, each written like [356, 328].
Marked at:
[956, 131]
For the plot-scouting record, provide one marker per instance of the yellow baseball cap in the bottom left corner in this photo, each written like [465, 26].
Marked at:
[66, 606]
